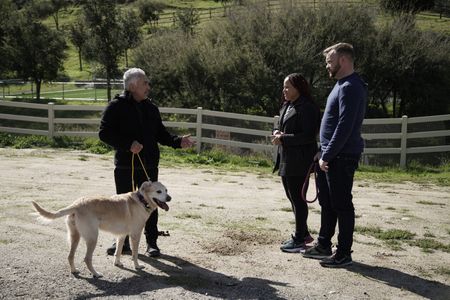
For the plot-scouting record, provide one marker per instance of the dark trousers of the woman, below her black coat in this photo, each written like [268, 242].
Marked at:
[293, 187]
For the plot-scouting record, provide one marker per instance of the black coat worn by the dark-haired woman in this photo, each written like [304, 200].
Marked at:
[299, 144]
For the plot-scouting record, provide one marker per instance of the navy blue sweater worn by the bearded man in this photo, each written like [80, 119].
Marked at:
[340, 130]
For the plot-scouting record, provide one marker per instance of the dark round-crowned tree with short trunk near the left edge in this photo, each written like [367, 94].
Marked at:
[38, 51]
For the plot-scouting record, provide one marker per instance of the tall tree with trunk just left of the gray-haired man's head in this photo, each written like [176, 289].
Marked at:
[106, 37]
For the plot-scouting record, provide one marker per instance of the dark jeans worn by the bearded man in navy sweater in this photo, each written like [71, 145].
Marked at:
[335, 198]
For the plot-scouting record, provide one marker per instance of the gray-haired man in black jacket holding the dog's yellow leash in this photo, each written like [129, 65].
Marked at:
[132, 124]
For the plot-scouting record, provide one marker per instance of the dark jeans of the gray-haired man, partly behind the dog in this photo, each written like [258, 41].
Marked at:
[122, 178]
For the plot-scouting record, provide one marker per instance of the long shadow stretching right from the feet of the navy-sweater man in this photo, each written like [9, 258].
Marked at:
[426, 288]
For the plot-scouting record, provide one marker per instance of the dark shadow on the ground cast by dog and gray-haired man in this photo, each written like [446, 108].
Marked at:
[182, 273]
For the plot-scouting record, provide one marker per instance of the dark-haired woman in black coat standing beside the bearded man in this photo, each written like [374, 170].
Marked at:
[296, 139]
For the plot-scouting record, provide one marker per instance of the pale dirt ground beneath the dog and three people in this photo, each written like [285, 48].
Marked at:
[225, 232]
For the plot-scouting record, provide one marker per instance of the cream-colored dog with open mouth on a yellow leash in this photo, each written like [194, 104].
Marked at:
[122, 215]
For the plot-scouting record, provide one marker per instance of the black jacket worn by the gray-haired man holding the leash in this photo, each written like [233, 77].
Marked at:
[125, 120]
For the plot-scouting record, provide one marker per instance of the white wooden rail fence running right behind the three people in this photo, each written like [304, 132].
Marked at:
[200, 124]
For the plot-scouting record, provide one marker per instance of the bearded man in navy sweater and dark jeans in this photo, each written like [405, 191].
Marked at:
[341, 147]
